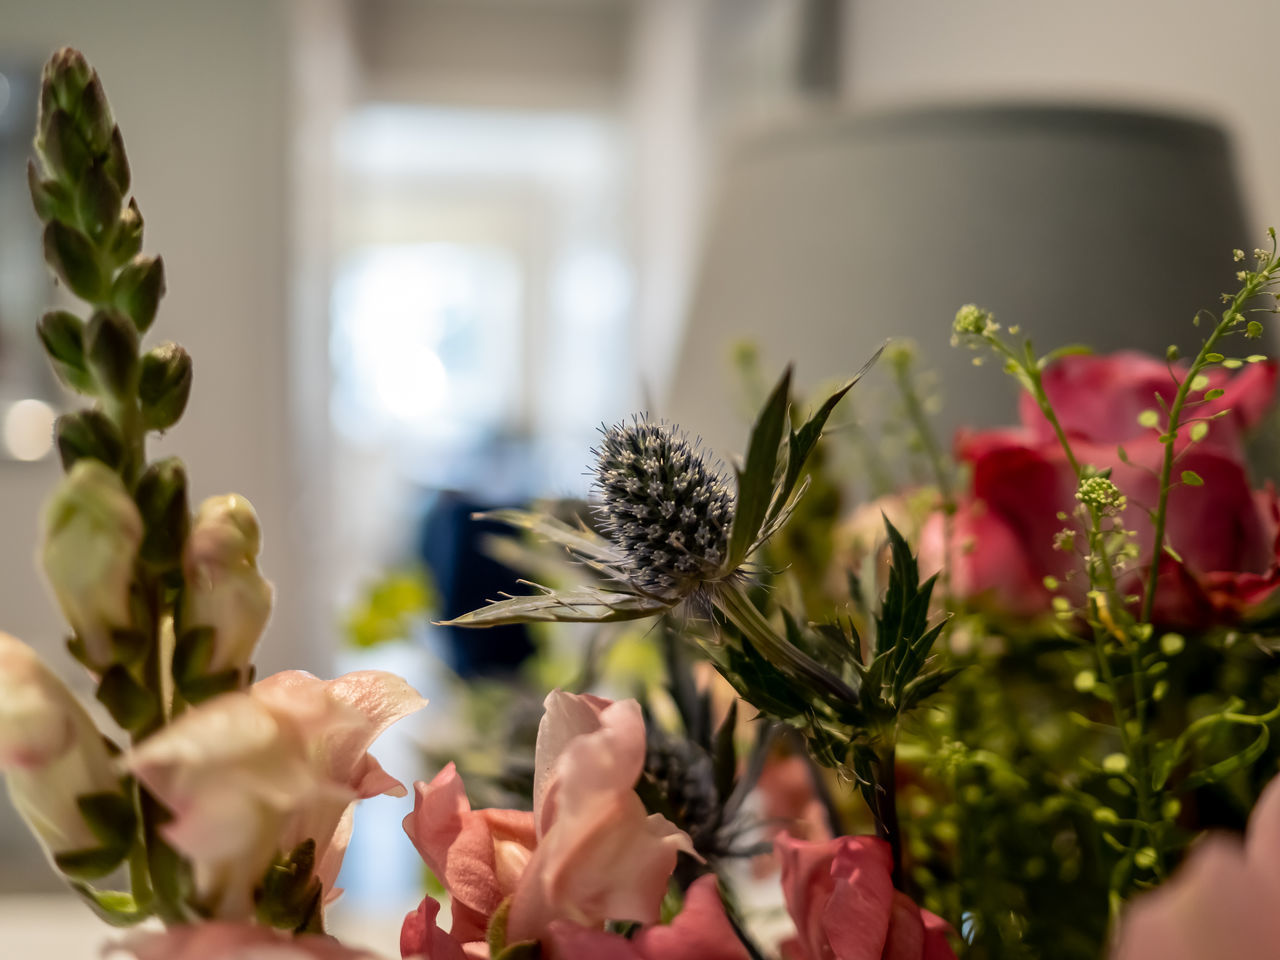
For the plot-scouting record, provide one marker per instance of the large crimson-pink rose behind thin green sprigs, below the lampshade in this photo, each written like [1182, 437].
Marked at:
[1003, 543]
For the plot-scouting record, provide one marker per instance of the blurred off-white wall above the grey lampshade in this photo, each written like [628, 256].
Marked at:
[1215, 60]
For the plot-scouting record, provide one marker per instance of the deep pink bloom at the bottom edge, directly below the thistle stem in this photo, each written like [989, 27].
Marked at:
[842, 897]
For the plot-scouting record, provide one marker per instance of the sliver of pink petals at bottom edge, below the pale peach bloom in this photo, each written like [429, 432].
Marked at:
[232, 941]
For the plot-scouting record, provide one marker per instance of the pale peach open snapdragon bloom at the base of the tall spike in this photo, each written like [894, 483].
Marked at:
[252, 775]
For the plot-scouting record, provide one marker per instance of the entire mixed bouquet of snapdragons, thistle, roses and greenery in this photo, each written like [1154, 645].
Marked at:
[1014, 706]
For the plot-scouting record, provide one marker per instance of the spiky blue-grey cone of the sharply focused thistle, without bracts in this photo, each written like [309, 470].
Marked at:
[664, 506]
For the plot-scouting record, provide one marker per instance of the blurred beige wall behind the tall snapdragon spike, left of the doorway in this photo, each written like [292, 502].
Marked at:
[200, 92]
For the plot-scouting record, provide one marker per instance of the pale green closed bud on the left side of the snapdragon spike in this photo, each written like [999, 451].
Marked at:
[92, 538]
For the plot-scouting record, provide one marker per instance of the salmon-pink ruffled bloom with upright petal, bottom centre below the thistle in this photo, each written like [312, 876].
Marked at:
[588, 853]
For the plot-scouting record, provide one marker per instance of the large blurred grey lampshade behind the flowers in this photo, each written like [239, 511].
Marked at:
[1094, 226]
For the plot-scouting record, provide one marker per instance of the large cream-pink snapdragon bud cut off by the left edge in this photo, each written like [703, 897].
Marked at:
[51, 751]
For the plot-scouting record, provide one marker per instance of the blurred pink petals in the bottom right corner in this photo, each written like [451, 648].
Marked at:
[1220, 904]
